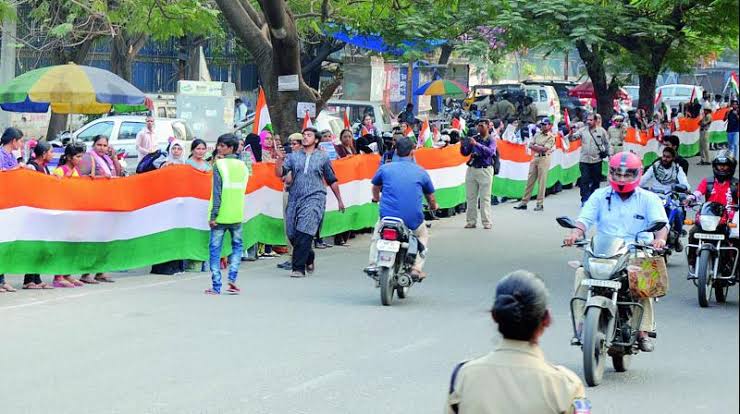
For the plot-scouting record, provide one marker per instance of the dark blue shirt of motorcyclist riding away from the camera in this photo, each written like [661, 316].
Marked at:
[403, 184]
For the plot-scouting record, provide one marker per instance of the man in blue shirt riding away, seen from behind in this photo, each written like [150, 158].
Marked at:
[404, 185]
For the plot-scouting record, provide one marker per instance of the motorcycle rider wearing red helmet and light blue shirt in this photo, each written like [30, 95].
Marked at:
[621, 210]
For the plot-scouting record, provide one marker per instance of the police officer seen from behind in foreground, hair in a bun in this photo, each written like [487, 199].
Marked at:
[516, 378]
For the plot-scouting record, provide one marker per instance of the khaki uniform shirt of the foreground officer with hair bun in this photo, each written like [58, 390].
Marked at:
[514, 378]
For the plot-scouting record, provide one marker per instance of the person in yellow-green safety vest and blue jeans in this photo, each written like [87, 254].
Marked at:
[226, 210]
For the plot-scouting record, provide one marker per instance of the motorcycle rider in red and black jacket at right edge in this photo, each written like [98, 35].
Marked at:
[721, 188]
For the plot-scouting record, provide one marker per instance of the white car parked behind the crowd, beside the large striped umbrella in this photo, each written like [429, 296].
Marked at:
[121, 131]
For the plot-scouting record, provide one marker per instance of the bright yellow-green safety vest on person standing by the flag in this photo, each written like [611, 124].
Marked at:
[234, 177]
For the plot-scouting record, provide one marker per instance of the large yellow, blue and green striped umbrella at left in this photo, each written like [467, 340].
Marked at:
[68, 89]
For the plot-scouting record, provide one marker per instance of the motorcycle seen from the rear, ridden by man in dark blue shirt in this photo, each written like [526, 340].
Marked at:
[397, 251]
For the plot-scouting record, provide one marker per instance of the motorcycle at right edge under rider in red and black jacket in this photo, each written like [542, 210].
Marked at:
[716, 254]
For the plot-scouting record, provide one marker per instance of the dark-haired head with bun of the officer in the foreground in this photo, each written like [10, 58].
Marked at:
[520, 305]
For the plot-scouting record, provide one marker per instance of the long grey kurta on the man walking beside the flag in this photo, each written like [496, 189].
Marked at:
[307, 193]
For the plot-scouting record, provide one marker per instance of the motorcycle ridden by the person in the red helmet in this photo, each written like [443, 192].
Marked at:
[610, 311]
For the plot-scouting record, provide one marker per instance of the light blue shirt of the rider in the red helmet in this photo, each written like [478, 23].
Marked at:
[611, 215]
